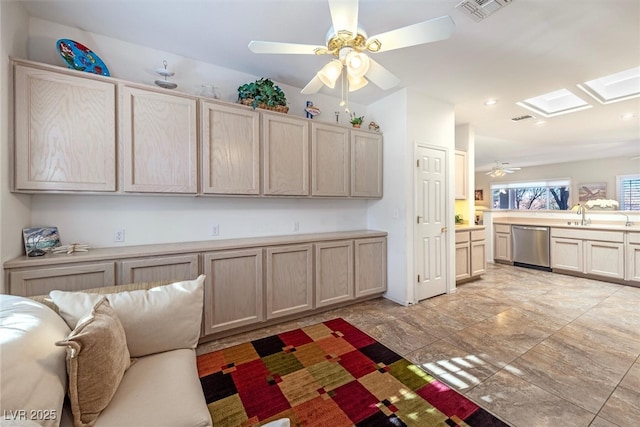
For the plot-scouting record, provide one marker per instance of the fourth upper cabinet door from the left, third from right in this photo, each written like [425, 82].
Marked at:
[286, 155]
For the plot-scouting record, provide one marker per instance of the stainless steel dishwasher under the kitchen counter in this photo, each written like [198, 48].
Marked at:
[530, 246]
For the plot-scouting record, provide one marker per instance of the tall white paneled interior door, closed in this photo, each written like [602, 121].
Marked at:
[431, 221]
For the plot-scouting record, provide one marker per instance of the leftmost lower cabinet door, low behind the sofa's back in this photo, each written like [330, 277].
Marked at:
[68, 278]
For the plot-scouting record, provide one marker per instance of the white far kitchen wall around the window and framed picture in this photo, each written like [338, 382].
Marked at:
[582, 172]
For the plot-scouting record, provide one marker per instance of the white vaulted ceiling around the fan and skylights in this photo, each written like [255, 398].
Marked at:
[529, 48]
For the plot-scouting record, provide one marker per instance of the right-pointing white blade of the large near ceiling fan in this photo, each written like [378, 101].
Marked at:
[420, 33]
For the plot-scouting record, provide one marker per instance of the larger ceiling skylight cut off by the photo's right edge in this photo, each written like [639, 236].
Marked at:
[615, 87]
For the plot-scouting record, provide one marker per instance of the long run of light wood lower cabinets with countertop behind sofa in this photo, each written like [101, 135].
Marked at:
[249, 282]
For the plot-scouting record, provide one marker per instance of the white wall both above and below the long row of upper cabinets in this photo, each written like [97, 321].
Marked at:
[149, 219]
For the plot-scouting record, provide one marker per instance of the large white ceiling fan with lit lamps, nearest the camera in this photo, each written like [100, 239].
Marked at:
[349, 44]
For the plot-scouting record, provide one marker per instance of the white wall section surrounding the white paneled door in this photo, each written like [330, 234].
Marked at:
[407, 117]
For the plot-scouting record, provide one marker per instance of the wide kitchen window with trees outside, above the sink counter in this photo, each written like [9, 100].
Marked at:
[553, 195]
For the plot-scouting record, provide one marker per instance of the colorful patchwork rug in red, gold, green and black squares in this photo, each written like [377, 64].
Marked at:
[328, 374]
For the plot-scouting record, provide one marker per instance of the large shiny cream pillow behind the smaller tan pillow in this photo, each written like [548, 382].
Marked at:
[159, 319]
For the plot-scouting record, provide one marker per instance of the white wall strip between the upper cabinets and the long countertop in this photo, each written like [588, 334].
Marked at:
[159, 219]
